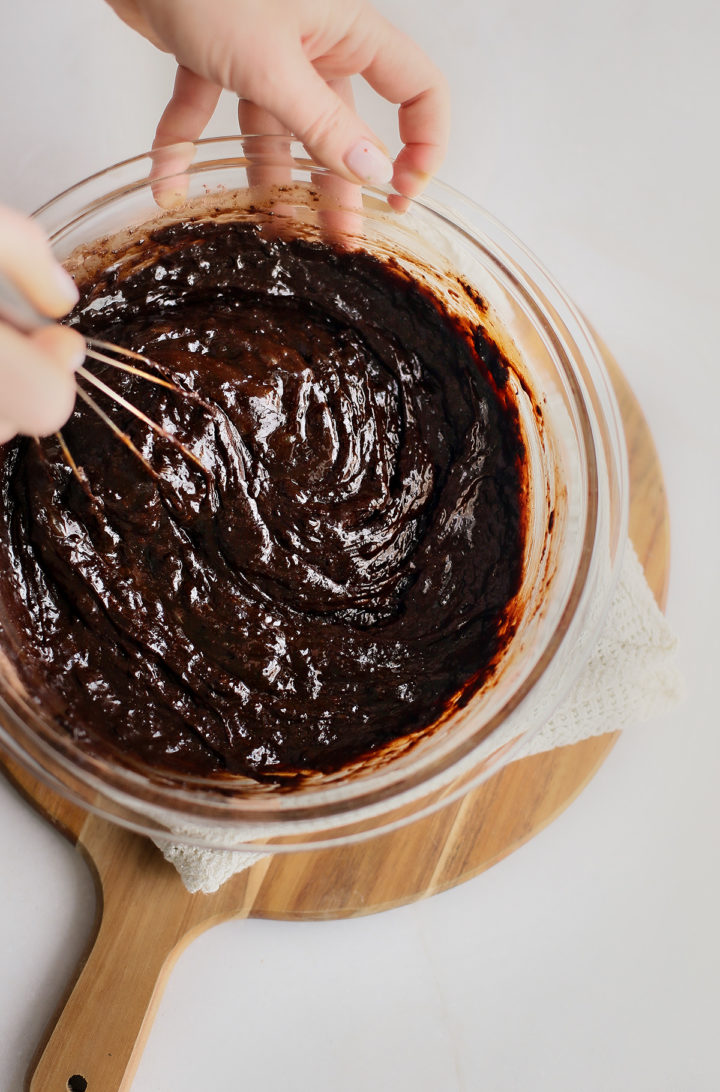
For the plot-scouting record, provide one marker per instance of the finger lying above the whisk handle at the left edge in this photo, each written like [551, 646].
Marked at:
[26, 257]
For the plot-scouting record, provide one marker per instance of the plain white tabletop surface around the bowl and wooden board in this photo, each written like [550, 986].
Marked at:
[589, 962]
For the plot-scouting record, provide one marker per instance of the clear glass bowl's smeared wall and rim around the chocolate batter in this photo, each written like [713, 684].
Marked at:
[579, 495]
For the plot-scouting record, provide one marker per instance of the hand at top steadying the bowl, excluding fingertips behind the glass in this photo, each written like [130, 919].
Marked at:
[293, 60]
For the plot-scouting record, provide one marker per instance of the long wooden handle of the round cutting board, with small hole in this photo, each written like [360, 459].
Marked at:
[147, 921]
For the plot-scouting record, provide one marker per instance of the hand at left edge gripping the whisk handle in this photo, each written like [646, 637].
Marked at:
[37, 370]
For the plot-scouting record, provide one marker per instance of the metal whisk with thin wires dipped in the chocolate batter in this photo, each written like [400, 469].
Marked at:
[21, 314]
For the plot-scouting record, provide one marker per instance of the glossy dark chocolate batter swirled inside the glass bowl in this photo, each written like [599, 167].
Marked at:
[334, 572]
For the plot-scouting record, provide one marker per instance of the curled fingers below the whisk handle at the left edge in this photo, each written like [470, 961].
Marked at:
[37, 379]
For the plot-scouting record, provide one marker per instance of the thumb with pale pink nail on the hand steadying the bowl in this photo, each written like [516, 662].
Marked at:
[332, 132]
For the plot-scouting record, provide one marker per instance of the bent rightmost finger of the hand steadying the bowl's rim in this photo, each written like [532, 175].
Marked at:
[403, 74]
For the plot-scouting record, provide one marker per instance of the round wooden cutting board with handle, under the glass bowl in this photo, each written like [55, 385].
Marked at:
[146, 917]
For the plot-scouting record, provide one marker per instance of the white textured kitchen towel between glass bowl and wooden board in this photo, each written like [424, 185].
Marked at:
[631, 676]
